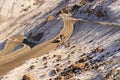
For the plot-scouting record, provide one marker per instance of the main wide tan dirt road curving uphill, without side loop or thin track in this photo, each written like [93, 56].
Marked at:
[15, 59]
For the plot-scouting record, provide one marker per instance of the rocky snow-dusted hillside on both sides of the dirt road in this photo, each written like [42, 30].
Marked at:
[92, 52]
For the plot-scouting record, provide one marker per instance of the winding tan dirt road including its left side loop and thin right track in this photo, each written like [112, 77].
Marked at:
[10, 59]
